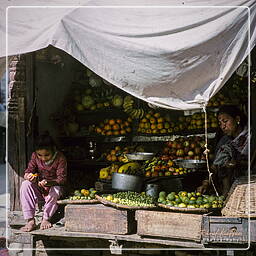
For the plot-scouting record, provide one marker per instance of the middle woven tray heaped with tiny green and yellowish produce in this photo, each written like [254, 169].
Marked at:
[128, 200]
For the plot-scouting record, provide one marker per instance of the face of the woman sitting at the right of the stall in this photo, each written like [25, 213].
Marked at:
[227, 124]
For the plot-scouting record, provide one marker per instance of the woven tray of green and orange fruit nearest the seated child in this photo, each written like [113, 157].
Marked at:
[80, 196]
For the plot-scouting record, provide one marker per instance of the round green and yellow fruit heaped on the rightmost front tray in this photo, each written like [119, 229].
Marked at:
[185, 199]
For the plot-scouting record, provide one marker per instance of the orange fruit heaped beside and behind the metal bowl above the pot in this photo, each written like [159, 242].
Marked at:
[117, 154]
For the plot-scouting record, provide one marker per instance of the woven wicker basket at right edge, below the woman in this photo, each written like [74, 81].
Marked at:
[237, 202]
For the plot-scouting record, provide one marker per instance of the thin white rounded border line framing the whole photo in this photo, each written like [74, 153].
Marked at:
[126, 6]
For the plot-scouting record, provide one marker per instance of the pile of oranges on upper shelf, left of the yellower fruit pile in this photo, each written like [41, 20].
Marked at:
[114, 126]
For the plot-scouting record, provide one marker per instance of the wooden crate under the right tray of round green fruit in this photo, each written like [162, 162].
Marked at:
[169, 224]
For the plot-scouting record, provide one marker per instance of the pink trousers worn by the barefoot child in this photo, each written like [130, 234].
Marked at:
[30, 195]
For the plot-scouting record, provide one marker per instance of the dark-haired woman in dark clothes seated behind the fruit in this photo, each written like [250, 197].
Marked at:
[231, 151]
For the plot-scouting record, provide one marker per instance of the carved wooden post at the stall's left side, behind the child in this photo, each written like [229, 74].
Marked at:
[17, 121]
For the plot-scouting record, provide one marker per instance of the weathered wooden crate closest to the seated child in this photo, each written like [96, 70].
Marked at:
[99, 218]
